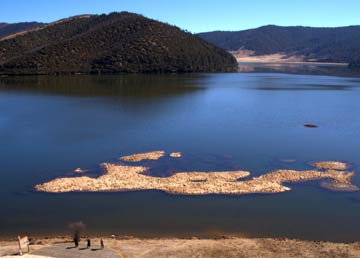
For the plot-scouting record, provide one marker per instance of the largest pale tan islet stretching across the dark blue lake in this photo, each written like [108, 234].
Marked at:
[129, 178]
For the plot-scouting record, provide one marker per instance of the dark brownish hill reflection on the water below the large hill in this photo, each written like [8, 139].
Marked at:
[86, 86]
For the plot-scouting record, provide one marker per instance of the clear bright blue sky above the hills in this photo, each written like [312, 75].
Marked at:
[196, 15]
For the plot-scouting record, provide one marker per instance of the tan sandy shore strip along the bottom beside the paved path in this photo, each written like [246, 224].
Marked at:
[225, 247]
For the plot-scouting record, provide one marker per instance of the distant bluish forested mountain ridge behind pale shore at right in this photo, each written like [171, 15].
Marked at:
[341, 44]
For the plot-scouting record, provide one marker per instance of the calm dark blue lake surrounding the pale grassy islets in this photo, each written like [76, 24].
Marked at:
[252, 121]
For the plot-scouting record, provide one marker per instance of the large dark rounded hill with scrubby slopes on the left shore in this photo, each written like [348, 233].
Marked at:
[118, 42]
